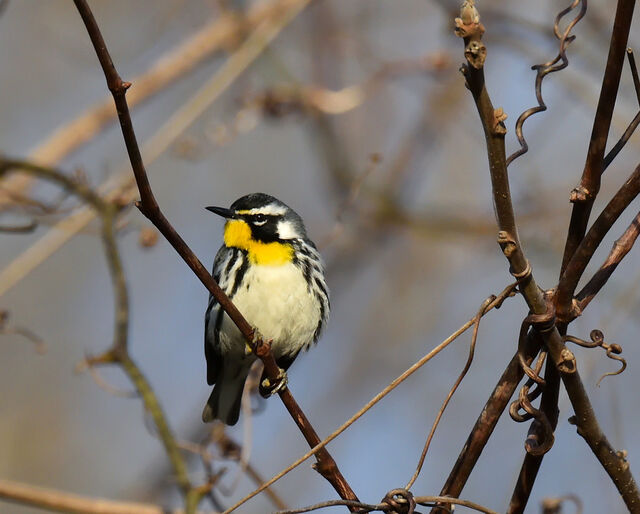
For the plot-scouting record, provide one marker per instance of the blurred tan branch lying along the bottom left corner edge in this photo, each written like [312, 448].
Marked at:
[69, 503]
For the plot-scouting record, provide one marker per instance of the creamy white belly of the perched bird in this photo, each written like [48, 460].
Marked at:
[276, 301]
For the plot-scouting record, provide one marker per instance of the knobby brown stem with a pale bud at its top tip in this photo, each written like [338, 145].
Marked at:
[614, 464]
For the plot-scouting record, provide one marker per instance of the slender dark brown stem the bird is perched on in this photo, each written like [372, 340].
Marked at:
[150, 208]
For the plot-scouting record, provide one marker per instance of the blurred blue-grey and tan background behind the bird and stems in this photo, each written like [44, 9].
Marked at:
[357, 117]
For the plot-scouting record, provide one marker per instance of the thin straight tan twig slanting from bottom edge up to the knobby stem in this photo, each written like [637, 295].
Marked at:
[394, 383]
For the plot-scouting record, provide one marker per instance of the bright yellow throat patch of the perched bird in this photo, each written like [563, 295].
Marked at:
[237, 234]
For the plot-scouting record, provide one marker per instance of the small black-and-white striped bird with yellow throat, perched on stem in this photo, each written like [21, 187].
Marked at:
[274, 275]
